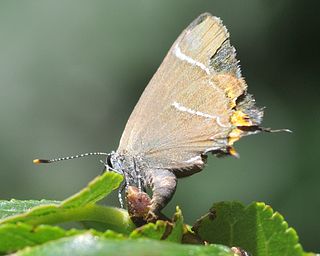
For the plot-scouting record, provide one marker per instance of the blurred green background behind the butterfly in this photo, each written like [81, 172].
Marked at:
[72, 71]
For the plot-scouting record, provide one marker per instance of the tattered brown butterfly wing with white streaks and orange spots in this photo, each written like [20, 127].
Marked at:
[189, 107]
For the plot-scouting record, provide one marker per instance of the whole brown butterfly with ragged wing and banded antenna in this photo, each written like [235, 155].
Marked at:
[195, 104]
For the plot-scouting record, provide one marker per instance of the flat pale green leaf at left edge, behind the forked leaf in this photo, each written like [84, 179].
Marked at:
[14, 207]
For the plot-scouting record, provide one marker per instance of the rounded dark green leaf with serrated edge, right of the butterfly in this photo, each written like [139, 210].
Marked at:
[256, 228]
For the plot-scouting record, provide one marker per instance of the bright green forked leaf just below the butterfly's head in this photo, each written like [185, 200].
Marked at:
[81, 207]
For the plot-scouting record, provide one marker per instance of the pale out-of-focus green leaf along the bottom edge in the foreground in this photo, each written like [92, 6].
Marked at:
[88, 244]
